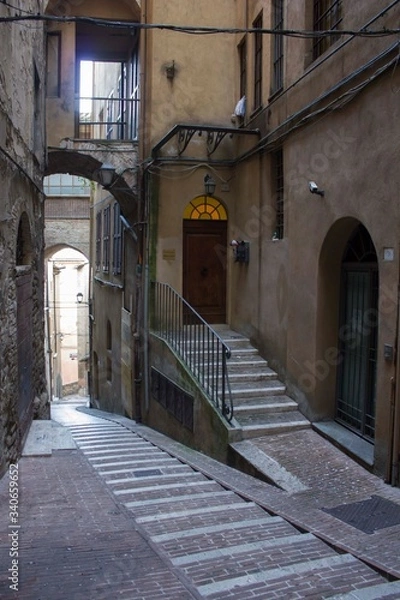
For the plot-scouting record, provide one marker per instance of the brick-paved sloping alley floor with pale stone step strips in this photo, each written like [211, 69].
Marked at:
[131, 514]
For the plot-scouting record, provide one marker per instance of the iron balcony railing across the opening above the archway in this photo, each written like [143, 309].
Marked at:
[107, 118]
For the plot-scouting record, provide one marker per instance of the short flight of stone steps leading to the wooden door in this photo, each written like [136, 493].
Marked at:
[261, 406]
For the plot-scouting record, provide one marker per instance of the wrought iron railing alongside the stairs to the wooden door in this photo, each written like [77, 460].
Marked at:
[194, 340]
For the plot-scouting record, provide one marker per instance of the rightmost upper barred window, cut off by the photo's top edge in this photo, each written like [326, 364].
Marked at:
[327, 17]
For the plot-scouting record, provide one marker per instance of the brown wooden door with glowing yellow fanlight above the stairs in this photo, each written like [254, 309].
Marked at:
[204, 257]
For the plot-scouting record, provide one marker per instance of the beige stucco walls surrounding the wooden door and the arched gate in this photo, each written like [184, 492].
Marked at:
[334, 120]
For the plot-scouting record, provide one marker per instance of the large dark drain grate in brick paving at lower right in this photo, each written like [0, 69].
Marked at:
[368, 515]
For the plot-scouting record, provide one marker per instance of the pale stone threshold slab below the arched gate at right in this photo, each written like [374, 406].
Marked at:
[351, 443]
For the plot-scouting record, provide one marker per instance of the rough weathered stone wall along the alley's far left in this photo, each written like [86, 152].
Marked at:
[22, 157]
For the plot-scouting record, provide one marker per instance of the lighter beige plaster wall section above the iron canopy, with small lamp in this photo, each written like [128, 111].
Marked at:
[203, 88]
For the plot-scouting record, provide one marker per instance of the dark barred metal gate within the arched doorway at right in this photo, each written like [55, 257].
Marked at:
[356, 385]
